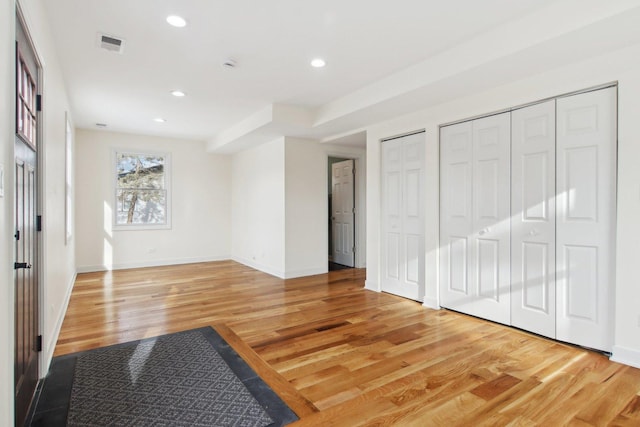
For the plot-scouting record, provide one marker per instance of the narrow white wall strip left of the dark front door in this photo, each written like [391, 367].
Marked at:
[7, 49]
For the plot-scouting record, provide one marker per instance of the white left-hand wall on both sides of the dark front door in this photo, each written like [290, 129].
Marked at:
[58, 269]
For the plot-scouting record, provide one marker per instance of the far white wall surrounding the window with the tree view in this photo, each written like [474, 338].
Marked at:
[200, 211]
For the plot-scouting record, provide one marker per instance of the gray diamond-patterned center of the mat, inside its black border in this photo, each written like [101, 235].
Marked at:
[171, 380]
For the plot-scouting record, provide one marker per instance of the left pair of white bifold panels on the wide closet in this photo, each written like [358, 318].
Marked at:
[474, 218]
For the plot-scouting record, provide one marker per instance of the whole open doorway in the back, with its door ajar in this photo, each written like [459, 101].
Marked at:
[341, 203]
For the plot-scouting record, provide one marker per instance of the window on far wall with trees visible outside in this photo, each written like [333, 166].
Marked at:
[142, 199]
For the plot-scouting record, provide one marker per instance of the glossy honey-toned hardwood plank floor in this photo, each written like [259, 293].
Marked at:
[340, 355]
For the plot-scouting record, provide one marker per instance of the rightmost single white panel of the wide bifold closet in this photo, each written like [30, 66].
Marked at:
[586, 187]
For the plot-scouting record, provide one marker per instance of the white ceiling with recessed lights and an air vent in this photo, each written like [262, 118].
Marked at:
[376, 52]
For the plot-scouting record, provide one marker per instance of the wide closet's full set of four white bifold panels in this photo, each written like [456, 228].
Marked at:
[559, 278]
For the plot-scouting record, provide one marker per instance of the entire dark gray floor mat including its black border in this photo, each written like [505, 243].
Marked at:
[172, 380]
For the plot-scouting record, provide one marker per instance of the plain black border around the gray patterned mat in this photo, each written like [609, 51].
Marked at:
[52, 398]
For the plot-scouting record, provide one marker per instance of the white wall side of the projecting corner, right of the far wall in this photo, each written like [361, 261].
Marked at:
[258, 206]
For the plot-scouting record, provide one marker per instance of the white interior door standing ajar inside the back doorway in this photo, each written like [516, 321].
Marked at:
[342, 216]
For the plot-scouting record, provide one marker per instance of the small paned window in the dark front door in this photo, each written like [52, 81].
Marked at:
[25, 102]
